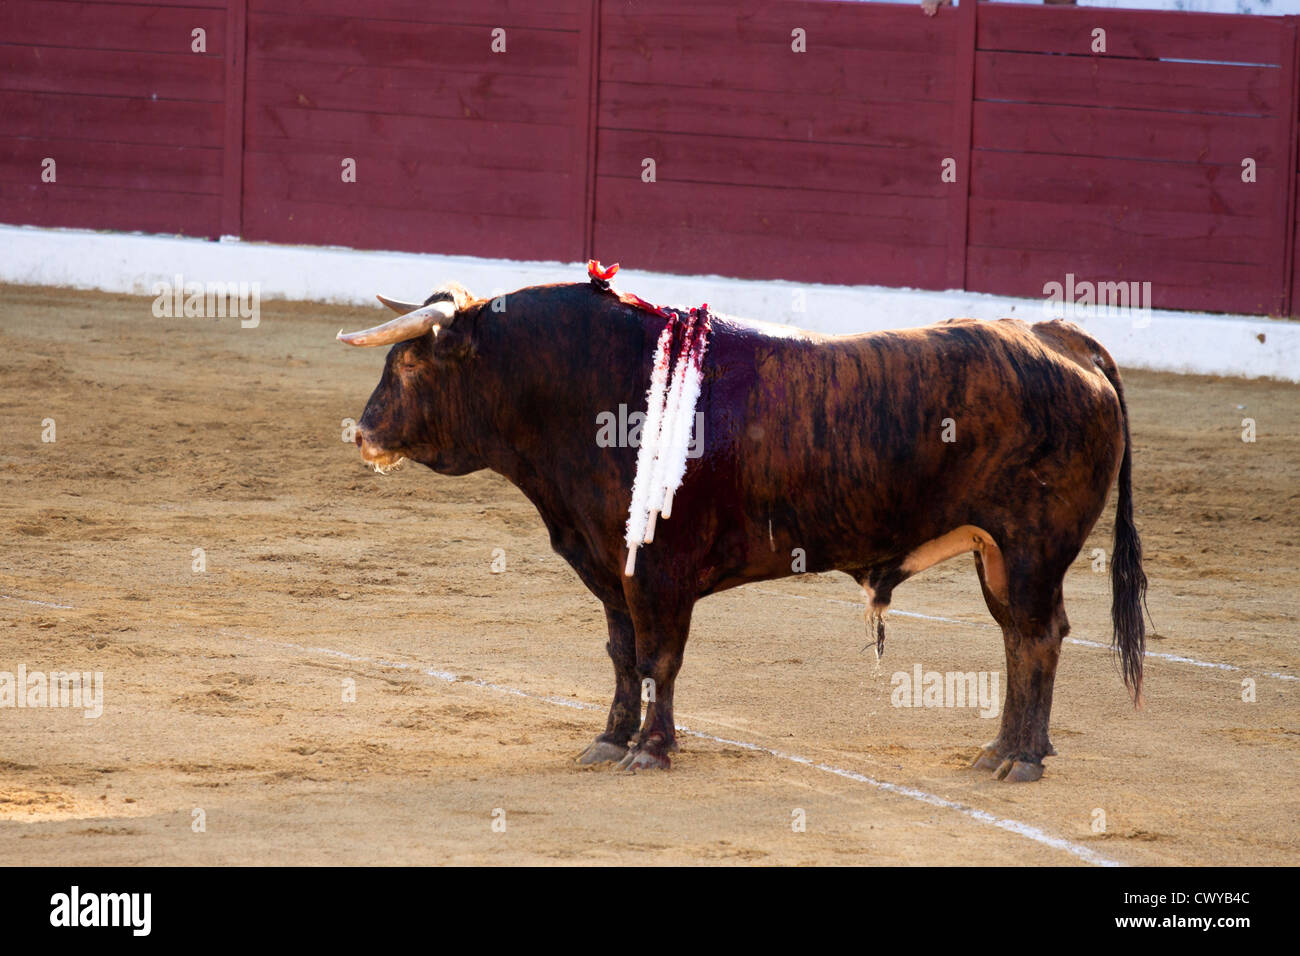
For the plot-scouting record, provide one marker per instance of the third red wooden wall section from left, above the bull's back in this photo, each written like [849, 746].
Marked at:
[818, 166]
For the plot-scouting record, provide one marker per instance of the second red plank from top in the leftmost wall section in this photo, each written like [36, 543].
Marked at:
[112, 73]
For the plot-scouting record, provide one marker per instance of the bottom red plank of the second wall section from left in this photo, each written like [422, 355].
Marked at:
[406, 231]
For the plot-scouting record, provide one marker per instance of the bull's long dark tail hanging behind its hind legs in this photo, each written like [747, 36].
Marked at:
[1128, 579]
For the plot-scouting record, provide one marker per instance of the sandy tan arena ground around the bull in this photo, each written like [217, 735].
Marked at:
[226, 737]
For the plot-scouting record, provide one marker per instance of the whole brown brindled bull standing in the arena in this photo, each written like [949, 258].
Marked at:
[877, 455]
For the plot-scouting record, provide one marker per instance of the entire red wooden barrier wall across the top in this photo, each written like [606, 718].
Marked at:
[824, 166]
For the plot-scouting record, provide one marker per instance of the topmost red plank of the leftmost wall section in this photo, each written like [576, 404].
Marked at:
[141, 28]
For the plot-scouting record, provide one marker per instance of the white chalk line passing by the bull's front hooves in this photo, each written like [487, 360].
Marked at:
[1015, 827]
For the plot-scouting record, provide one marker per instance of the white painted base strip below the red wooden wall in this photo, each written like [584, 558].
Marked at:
[131, 263]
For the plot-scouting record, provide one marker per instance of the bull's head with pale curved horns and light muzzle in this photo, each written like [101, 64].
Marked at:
[419, 409]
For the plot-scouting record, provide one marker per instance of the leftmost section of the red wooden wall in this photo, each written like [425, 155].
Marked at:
[132, 118]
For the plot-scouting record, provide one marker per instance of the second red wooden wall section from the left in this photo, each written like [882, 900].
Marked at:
[458, 149]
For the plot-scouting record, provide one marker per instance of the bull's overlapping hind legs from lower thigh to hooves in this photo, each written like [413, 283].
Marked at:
[1033, 631]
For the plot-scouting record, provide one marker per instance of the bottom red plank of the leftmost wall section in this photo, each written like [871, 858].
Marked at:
[75, 207]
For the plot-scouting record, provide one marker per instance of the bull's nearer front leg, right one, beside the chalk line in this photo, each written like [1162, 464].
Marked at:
[662, 624]
